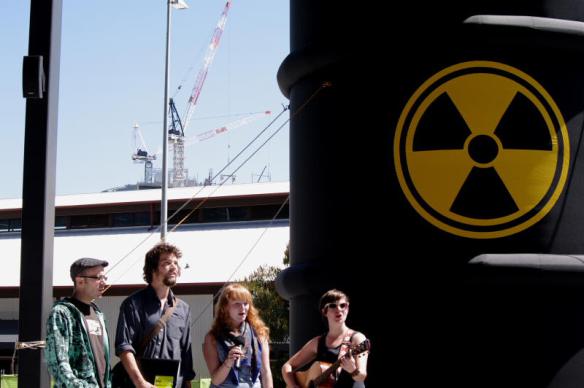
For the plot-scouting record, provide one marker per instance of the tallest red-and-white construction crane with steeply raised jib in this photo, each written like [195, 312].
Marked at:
[176, 130]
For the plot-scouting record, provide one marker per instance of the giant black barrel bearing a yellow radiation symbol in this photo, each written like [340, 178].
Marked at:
[424, 134]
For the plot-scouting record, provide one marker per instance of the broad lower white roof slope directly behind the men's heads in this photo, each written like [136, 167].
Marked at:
[211, 252]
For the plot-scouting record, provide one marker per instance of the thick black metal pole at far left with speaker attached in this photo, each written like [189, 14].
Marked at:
[38, 193]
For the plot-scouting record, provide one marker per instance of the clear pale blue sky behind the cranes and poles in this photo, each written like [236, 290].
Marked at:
[112, 74]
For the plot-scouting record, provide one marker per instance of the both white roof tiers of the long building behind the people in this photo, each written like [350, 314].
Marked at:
[212, 252]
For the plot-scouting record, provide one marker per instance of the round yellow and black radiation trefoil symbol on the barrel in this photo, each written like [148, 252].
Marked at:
[481, 150]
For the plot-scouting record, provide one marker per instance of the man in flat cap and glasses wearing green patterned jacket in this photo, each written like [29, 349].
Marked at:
[77, 349]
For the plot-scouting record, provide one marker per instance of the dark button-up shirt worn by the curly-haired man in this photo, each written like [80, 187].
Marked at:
[139, 313]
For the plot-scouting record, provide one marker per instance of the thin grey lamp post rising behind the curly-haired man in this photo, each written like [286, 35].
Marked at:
[178, 4]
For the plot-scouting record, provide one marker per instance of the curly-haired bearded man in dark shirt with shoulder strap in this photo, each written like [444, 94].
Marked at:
[141, 311]
